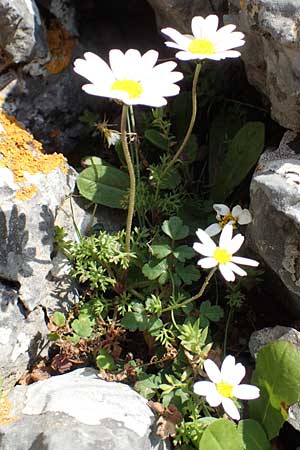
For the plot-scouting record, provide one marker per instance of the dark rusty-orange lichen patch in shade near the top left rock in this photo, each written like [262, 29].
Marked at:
[60, 44]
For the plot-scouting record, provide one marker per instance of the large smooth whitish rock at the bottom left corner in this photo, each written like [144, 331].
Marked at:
[78, 411]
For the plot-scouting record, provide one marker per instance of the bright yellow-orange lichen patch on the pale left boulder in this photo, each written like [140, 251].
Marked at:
[21, 153]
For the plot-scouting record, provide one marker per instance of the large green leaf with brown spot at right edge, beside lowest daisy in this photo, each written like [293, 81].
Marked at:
[277, 375]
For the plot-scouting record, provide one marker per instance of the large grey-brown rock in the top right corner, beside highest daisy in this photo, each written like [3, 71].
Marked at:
[272, 53]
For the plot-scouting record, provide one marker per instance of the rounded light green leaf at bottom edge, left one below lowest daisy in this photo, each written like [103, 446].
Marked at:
[221, 435]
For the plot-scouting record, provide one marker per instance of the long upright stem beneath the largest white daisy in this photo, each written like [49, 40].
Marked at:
[131, 178]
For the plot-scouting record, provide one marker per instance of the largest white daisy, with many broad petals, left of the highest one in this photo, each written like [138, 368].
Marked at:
[131, 77]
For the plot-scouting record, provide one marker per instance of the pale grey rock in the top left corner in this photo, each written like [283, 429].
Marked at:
[22, 36]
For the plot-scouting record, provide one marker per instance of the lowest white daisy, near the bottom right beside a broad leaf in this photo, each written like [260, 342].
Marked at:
[225, 386]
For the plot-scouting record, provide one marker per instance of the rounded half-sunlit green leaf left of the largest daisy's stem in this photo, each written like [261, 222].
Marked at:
[103, 185]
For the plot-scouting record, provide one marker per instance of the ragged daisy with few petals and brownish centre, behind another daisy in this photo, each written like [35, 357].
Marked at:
[236, 216]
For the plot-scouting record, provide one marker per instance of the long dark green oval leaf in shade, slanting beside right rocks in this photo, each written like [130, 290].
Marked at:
[243, 152]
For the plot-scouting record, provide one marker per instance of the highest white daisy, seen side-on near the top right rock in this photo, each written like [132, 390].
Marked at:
[206, 42]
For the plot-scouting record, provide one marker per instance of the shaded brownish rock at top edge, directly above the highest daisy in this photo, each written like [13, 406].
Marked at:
[179, 13]
